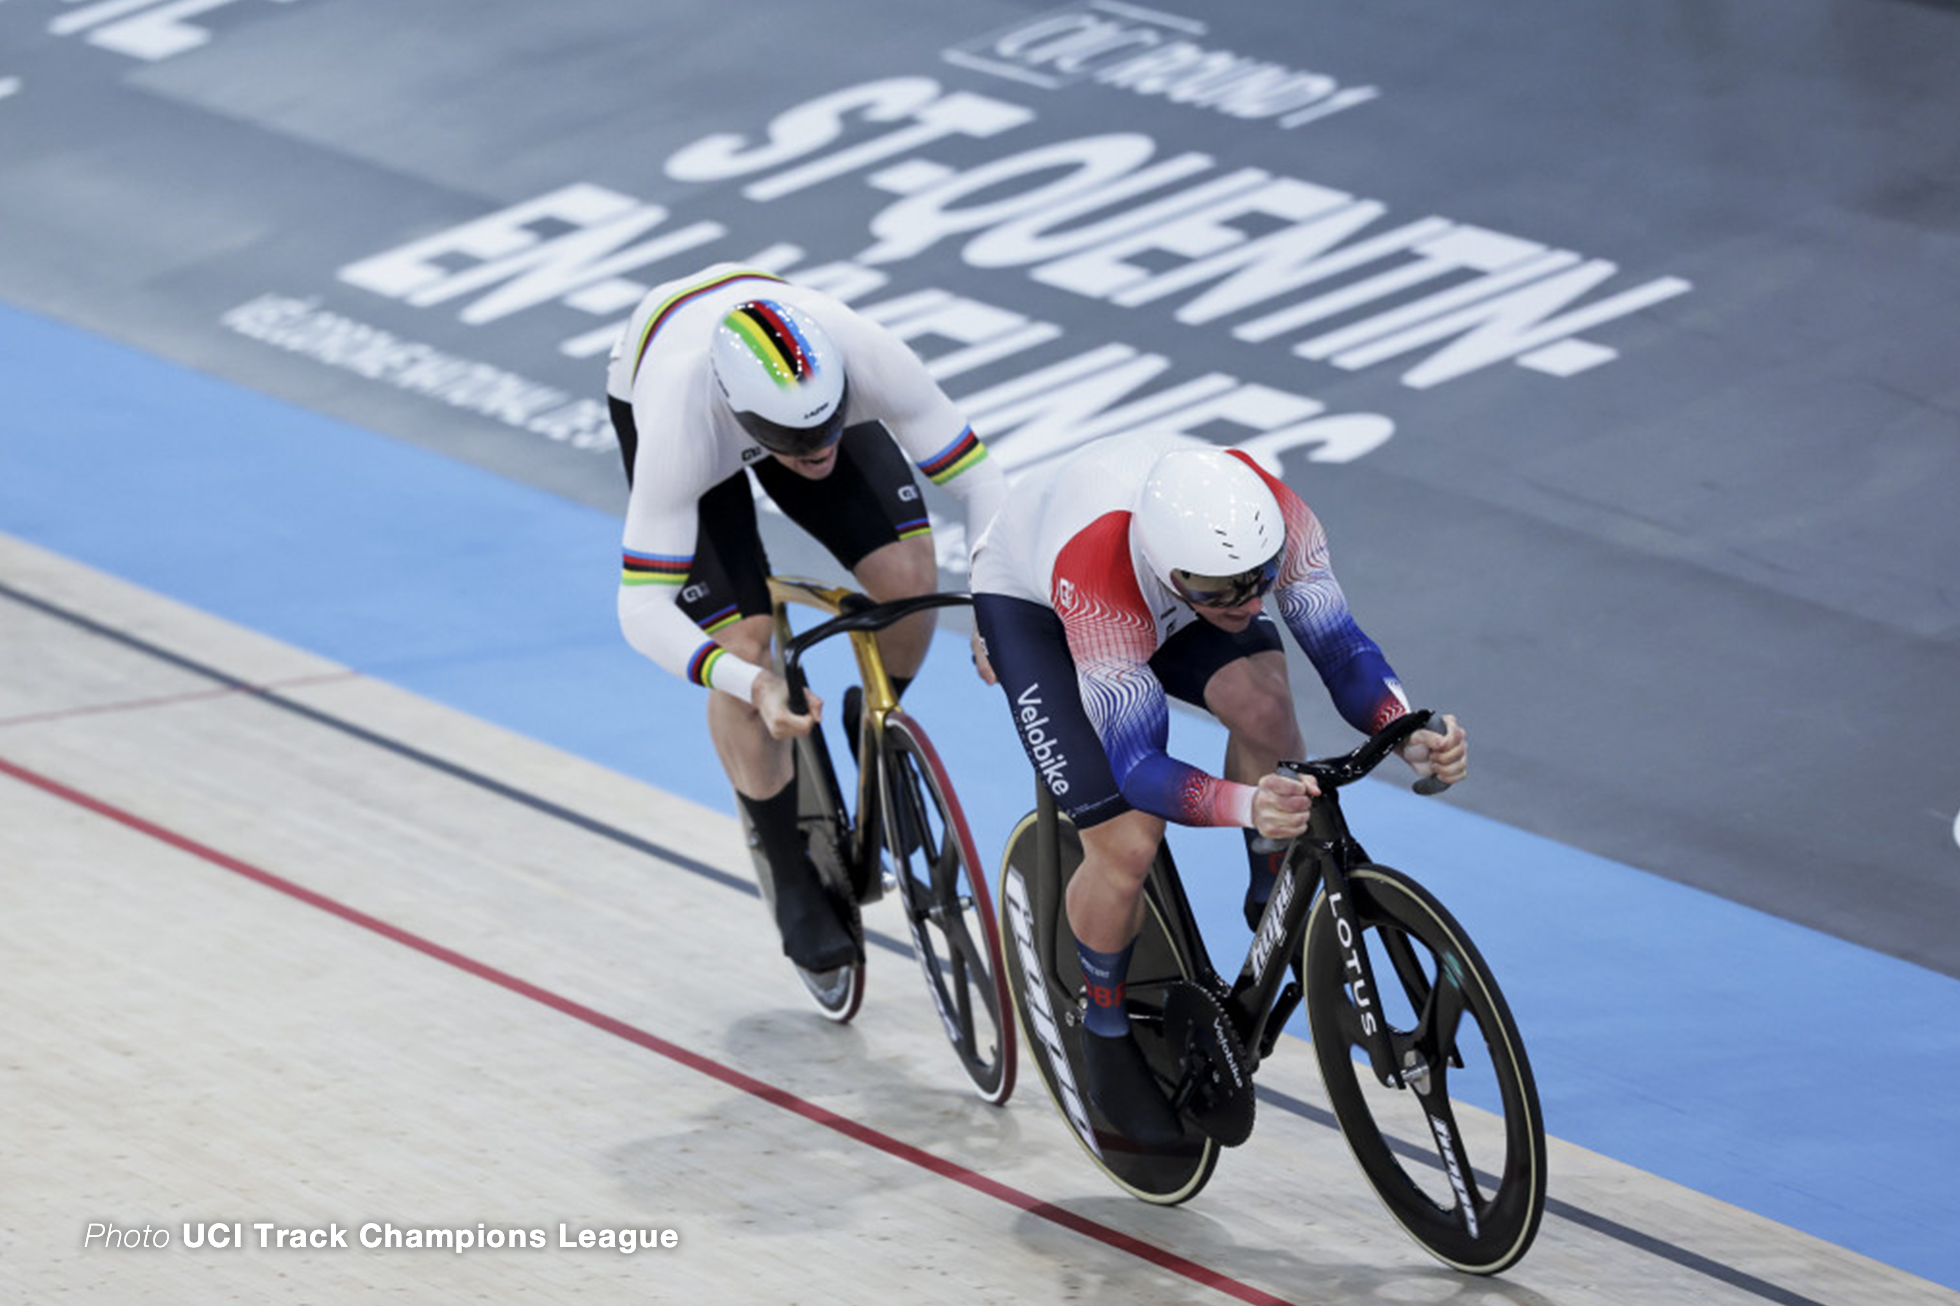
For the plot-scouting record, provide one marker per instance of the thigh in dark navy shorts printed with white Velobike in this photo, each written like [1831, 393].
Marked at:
[1030, 654]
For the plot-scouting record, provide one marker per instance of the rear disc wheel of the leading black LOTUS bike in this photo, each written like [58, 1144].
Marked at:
[1046, 981]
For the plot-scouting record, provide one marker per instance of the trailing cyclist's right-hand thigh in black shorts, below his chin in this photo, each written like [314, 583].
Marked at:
[869, 499]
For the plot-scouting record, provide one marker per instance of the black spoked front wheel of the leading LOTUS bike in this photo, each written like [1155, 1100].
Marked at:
[1459, 1154]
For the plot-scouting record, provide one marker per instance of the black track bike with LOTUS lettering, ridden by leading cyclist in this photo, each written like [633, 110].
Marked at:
[1400, 1005]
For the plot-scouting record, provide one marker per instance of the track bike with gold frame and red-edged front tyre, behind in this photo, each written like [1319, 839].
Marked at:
[905, 836]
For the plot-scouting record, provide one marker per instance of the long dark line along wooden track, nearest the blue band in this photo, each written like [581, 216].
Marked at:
[1306, 1111]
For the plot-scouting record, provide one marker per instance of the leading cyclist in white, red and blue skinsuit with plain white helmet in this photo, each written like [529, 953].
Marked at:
[1140, 570]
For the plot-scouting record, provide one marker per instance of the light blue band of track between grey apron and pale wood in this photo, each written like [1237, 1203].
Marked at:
[1738, 1054]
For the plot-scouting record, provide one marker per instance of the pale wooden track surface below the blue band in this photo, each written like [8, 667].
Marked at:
[287, 946]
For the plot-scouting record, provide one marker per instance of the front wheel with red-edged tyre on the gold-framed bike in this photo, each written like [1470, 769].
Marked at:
[948, 907]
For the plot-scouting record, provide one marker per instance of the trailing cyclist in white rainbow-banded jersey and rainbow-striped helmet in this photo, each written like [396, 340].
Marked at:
[732, 374]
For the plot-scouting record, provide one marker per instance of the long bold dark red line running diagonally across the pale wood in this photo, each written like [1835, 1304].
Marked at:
[673, 1052]
